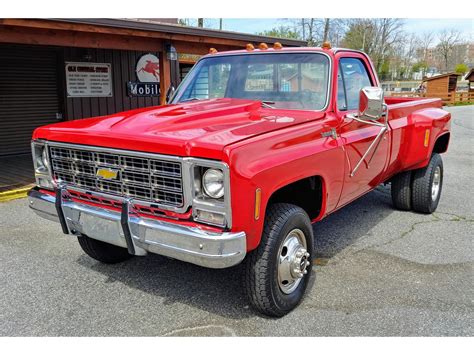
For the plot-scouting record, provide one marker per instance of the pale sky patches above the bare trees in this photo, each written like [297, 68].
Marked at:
[466, 26]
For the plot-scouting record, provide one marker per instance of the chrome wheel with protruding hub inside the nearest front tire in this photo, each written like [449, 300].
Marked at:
[292, 261]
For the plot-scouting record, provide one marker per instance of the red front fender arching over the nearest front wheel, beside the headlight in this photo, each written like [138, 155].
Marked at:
[276, 160]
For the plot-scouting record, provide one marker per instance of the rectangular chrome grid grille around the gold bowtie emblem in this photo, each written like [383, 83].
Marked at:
[146, 179]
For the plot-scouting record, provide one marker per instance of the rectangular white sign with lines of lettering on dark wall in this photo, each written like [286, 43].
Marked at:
[88, 79]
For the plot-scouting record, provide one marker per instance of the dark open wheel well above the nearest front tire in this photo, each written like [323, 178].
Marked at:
[306, 193]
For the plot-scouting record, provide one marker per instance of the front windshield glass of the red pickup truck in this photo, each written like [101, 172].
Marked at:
[285, 80]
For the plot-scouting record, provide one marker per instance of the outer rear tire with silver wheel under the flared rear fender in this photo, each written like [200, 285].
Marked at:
[427, 186]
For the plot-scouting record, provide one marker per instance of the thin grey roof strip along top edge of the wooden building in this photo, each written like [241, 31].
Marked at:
[179, 29]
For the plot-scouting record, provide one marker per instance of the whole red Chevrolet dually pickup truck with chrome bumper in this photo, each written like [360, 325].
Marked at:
[254, 147]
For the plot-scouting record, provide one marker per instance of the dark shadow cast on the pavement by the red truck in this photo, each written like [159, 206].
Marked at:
[220, 291]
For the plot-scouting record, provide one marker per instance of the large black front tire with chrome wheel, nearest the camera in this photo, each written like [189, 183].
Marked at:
[277, 272]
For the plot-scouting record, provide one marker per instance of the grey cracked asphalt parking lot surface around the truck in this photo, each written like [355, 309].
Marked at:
[378, 272]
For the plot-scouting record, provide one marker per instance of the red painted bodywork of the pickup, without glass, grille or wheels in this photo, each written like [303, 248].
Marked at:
[271, 148]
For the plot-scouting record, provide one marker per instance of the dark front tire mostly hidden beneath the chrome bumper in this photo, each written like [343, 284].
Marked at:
[103, 252]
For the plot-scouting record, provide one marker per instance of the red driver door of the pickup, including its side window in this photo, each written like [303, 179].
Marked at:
[353, 75]
